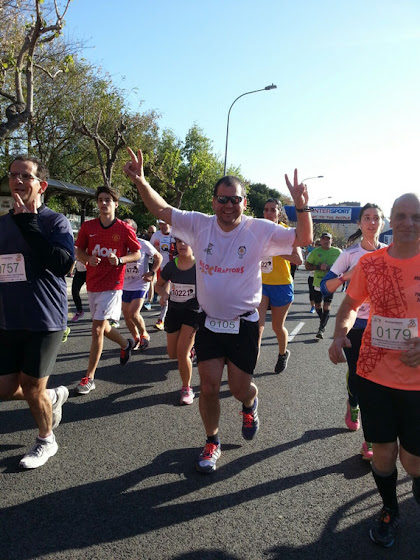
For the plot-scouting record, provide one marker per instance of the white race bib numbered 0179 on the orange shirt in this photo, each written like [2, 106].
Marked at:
[392, 333]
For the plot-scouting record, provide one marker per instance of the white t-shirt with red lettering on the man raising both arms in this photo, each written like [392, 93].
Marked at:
[229, 263]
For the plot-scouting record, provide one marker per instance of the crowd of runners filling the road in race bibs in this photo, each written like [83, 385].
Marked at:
[216, 277]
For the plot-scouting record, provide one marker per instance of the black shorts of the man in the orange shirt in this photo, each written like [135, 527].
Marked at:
[390, 414]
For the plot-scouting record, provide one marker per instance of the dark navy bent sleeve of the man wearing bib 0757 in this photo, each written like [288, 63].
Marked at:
[55, 253]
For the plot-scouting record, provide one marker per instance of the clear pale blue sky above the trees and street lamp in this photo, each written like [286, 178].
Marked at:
[347, 74]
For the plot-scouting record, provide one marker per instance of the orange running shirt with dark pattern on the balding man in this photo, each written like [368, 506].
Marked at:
[392, 287]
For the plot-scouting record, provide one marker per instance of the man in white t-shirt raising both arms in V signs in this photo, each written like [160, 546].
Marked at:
[228, 248]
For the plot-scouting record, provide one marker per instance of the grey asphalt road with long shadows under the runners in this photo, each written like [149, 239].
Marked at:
[123, 483]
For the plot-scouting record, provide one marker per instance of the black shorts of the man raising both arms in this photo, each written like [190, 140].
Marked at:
[241, 349]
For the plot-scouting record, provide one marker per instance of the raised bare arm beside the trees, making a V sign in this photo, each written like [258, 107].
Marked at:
[153, 201]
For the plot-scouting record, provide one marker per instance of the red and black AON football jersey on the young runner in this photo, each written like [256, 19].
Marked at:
[95, 239]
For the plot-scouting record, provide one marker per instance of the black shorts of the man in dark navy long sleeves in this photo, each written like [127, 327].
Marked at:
[31, 352]
